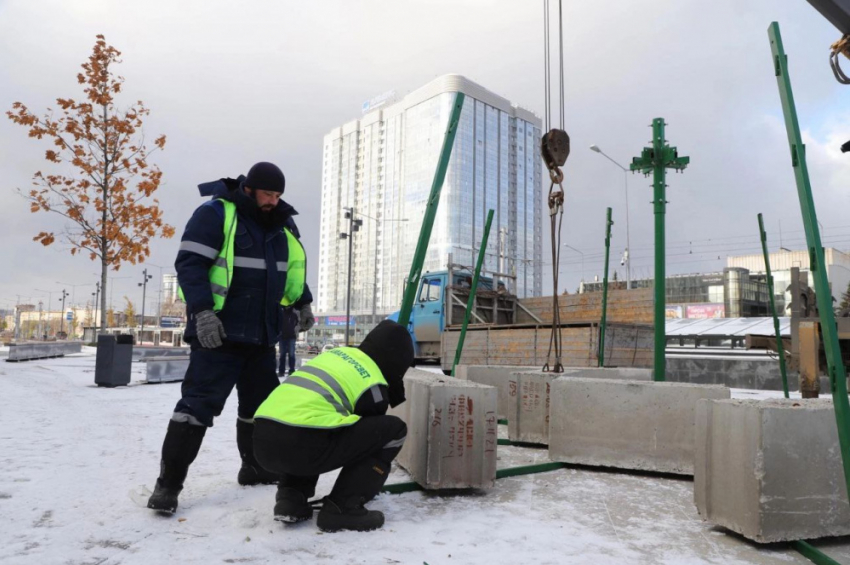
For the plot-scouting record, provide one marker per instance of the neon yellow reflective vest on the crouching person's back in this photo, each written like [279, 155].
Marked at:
[323, 393]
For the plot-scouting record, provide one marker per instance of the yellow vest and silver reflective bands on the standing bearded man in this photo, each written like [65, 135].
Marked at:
[221, 272]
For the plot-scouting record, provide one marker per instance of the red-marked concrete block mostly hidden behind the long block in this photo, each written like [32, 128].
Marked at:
[528, 410]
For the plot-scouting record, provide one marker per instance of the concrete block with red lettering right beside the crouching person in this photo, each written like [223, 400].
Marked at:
[451, 431]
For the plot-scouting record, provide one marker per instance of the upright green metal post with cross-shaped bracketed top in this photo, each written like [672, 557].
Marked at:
[656, 160]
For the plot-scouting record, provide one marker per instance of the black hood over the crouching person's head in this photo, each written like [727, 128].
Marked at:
[389, 345]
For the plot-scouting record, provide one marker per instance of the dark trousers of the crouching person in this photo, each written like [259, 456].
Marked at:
[364, 450]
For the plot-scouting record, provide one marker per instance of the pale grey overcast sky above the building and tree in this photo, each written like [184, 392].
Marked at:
[233, 83]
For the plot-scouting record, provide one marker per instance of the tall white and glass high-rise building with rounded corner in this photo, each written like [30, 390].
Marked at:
[383, 166]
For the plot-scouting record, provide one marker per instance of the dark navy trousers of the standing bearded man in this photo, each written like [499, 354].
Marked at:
[212, 374]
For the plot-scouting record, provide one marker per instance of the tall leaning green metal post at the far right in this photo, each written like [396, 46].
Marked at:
[835, 367]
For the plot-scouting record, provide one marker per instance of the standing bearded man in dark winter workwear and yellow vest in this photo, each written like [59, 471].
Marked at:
[240, 262]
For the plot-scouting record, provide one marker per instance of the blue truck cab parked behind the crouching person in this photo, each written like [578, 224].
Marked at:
[428, 317]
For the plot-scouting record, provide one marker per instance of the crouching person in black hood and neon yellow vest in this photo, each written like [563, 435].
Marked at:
[331, 413]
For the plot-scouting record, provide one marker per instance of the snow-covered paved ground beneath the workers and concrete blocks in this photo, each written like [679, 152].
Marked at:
[76, 461]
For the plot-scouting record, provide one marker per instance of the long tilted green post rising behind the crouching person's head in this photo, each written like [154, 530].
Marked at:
[430, 213]
